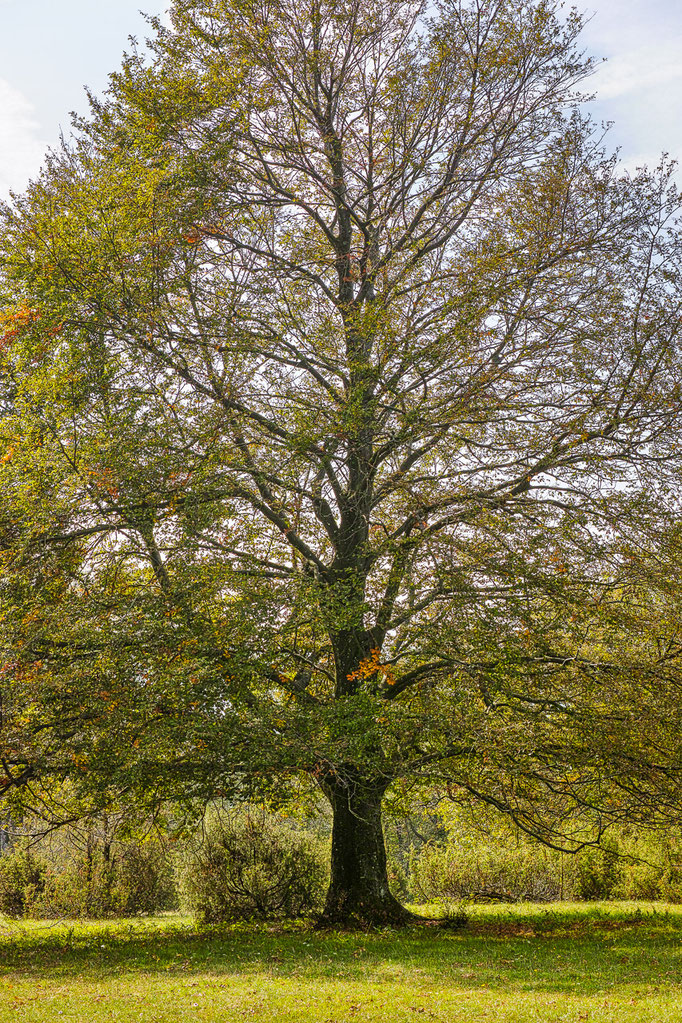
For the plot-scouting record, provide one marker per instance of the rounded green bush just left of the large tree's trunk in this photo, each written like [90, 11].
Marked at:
[250, 865]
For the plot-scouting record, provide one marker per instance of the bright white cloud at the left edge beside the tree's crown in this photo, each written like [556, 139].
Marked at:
[22, 150]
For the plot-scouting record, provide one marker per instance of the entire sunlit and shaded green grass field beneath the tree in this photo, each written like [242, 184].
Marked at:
[617, 962]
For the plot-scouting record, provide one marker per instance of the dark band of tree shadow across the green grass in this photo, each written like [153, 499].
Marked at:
[561, 953]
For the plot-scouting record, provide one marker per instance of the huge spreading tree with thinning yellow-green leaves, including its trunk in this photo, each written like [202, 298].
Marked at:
[342, 384]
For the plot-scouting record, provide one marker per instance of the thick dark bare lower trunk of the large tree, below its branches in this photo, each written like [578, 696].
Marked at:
[359, 893]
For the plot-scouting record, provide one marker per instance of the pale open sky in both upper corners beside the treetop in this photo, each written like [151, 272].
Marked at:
[51, 50]
